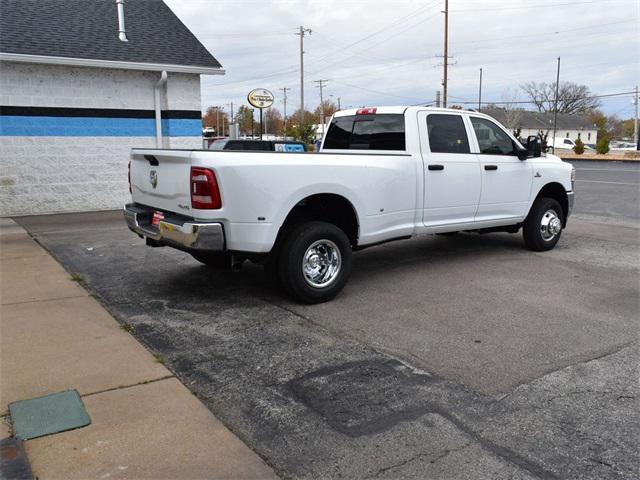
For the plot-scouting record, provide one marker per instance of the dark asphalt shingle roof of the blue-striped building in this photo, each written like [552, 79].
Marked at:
[88, 29]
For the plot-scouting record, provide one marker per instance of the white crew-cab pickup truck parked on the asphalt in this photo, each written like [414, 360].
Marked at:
[382, 174]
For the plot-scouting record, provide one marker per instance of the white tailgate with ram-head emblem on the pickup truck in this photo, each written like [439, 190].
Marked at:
[161, 179]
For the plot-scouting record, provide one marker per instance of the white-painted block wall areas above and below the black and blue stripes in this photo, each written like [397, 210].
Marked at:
[43, 174]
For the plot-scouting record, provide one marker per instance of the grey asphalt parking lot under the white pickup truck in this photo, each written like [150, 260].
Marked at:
[444, 357]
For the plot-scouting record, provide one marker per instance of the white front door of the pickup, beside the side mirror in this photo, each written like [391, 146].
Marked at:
[506, 180]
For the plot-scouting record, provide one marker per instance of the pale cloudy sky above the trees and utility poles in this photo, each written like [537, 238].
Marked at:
[384, 52]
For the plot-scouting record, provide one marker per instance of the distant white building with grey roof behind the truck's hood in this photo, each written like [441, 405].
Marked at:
[531, 123]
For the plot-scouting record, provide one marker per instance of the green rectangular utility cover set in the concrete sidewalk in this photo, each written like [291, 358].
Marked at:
[54, 413]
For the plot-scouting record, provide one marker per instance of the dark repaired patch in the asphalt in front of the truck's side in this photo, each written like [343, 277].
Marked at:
[366, 397]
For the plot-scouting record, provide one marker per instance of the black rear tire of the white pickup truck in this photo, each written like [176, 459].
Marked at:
[292, 255]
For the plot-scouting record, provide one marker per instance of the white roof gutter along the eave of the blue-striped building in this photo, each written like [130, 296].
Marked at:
[89, 62]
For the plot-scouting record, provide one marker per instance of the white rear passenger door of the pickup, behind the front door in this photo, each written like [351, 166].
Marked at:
[451, 171]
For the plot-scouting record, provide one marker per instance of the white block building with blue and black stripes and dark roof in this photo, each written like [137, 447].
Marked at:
[75, 98]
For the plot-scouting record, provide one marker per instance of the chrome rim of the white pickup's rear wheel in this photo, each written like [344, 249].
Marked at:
[321, 263]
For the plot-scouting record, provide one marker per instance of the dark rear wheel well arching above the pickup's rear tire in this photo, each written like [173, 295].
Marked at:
[326, 207]
